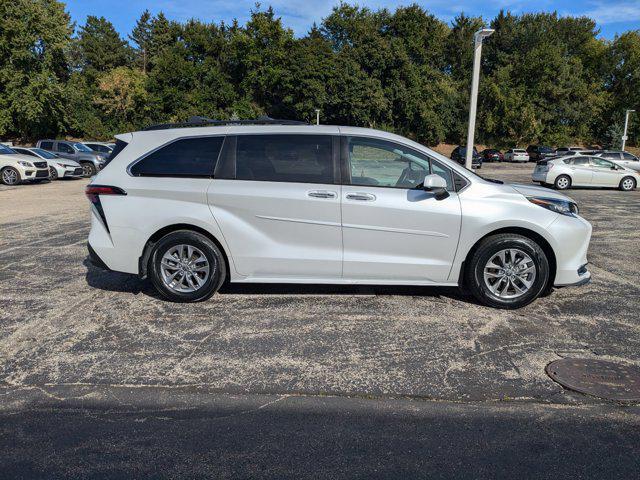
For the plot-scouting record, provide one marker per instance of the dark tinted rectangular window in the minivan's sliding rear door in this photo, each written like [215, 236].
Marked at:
[285, 158]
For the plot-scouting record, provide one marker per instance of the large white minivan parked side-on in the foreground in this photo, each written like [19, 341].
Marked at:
[278, 202]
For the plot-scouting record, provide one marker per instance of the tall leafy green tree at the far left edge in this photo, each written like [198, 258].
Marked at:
[33, 37]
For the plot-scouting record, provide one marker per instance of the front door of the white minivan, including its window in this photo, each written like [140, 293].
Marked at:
[393, 231]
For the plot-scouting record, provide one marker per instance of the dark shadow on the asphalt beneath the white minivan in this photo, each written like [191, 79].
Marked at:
[127, 283]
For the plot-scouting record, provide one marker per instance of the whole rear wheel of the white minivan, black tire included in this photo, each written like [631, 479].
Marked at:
[175, 245]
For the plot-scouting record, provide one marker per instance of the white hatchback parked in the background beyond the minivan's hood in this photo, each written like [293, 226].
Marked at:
[582, 171]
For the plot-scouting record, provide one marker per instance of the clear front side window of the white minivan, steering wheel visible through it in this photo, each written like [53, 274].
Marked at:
[380, 163]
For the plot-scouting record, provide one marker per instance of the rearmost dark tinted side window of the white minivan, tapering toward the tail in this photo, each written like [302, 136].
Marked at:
[189, 157]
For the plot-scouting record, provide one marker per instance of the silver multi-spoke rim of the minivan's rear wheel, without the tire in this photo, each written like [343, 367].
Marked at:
[184, 268]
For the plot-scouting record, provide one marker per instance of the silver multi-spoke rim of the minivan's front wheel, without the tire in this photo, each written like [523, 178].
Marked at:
[510, 273]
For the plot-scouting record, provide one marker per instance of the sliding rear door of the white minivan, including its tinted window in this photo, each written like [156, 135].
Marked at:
[276, 198]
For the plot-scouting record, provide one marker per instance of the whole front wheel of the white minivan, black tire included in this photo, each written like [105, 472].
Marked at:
[486, 282]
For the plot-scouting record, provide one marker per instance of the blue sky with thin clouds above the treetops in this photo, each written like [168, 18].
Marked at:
[612, 16]
